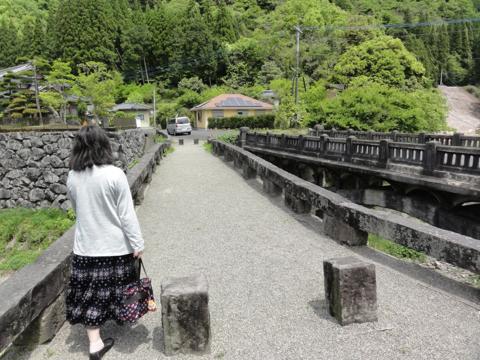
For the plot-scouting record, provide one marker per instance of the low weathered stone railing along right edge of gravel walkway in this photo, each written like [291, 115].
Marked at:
[345, 221]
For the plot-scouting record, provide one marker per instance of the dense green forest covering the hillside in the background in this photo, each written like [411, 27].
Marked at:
[119, 50]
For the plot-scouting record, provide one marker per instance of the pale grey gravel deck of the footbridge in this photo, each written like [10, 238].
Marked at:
[264, 267]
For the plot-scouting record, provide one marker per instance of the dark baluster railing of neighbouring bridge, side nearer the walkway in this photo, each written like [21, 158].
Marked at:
[432, 157]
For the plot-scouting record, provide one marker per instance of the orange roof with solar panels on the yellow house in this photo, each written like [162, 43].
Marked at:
[233, 101]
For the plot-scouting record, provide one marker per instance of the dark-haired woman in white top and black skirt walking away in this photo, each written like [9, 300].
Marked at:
[107, 237]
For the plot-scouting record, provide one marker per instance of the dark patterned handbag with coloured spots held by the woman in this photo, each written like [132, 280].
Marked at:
[137, 299]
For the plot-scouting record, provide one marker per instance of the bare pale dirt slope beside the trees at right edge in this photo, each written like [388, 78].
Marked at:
[463, 109]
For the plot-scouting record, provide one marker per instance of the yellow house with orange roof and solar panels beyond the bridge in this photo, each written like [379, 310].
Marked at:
[228, 105]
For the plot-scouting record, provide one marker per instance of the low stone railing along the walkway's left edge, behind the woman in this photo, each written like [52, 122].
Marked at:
[31, 291]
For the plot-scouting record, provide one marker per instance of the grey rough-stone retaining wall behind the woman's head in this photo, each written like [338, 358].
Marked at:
[34, 165]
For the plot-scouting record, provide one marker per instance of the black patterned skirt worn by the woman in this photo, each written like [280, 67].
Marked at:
[94, 292]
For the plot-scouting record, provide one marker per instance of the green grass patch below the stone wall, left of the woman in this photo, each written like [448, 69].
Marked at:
[25, 233]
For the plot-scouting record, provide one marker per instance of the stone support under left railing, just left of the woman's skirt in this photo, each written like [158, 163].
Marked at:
[45, 326]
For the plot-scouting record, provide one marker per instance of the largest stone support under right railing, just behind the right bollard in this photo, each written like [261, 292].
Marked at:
[342, 232]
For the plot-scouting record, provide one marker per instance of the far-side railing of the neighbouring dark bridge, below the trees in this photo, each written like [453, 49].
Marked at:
[457, 139]
